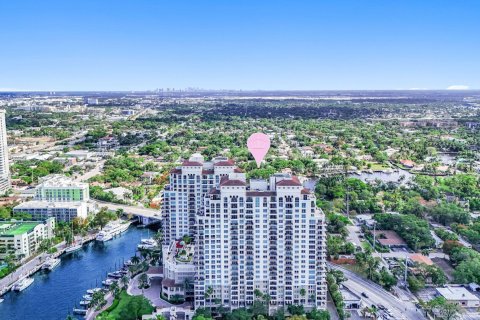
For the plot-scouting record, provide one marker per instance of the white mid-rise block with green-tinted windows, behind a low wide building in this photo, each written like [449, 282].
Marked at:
[59, 188]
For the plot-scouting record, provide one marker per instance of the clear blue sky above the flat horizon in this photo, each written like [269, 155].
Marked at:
[230, 44]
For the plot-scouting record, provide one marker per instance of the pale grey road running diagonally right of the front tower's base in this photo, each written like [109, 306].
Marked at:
[377, 295]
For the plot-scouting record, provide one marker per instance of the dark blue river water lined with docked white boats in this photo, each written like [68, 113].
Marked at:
[53, 295]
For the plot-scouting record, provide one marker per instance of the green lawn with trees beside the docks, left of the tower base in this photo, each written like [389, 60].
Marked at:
[129, 307]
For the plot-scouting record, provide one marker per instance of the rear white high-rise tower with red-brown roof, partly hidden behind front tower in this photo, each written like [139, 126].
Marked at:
[183, 196]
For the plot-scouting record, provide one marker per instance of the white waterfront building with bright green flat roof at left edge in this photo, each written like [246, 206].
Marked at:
[23, 238]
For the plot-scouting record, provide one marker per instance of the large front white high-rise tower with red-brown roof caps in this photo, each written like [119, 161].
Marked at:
[267, 236]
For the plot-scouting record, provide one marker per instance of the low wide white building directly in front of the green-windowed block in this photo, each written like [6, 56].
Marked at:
[61, 211]
